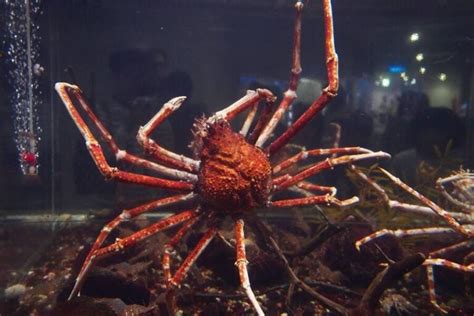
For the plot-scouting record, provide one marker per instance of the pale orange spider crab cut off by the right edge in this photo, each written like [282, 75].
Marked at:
[458, 190]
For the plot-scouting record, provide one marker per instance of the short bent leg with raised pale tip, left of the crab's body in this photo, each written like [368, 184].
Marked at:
[158, 152]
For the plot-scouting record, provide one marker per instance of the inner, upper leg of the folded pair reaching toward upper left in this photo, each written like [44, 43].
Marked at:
[120, 155]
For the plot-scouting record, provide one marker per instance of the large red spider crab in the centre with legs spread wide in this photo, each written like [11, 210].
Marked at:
[230, 173]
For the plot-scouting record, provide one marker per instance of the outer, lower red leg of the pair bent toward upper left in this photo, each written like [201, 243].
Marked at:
[97, 154]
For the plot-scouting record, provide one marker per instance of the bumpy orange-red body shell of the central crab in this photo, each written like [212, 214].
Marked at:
[234, 175]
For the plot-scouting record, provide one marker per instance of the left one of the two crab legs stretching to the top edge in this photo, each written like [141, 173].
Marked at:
[290, 94]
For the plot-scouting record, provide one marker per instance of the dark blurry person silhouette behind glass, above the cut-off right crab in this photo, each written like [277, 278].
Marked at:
[438, 140]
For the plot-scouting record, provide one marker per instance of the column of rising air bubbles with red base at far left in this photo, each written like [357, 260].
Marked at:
[22, 42]
